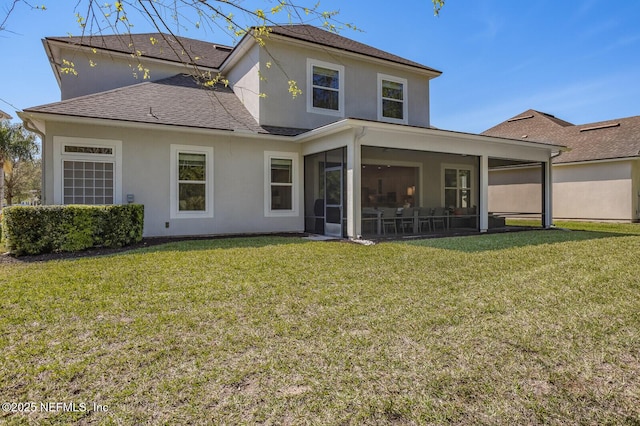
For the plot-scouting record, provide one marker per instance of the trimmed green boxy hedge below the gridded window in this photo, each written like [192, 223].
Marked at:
[45, 229]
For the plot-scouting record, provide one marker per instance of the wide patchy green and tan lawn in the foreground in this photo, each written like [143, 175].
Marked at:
[537, 327]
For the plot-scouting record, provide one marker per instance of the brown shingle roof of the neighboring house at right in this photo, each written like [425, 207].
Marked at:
[605, 140]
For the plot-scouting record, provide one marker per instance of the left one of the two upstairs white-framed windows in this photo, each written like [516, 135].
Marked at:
[325, 88]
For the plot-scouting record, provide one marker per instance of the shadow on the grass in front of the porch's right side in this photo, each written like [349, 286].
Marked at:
[503, 241]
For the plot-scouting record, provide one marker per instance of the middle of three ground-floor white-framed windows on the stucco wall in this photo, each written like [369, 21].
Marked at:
[191, 188]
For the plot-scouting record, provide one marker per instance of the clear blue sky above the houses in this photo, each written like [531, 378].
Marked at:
[578, 60]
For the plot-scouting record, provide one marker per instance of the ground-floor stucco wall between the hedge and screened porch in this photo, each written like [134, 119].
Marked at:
[239, 191]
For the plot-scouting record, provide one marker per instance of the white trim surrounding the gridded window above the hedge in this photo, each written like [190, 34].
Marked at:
[59, 156]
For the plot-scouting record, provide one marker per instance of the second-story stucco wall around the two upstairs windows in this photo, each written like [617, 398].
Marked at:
[289, 62]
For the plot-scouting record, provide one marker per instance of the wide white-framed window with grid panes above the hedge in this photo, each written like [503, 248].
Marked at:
[87, 171]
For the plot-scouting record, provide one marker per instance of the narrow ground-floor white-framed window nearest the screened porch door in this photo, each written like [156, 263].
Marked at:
[281, 184]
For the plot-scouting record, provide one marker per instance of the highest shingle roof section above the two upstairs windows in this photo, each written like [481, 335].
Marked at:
[330, 39]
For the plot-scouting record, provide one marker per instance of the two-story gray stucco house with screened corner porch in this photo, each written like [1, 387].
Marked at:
[253, 158]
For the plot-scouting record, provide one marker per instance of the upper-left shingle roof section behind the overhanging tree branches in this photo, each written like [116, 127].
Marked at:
[163, 46]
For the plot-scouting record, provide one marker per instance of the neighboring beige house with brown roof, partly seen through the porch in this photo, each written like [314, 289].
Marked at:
[597, 179]
